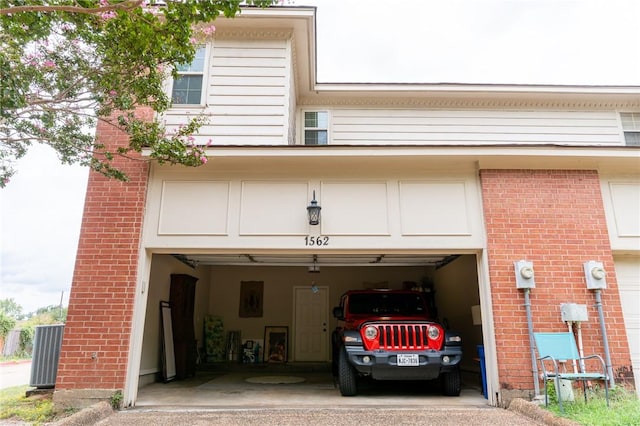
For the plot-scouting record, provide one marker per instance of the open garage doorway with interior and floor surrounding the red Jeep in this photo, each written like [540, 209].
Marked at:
[238, 302]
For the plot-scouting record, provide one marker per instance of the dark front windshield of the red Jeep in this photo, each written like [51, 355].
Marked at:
[386, 304]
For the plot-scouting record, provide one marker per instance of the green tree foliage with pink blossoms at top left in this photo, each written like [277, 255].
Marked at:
[65, 64]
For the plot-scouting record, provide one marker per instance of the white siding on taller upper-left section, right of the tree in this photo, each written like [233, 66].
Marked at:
[247, 94]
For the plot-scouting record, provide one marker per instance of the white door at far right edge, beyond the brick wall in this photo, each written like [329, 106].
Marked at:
[628, 274]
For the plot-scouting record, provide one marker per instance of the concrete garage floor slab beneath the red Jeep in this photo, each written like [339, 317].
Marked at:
[295, 386]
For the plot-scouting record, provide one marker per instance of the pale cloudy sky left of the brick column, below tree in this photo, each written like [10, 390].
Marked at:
[41, 213]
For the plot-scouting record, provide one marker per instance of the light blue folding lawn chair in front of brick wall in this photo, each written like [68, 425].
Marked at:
[556, 347]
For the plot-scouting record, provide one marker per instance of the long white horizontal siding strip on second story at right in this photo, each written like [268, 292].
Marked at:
[434, 127]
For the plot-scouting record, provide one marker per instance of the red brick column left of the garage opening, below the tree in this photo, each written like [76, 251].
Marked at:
[95, 349]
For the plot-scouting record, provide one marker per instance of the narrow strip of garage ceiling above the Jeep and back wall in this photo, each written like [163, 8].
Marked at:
[316, 259]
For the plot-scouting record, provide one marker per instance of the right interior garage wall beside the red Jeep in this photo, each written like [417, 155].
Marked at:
[456, 288]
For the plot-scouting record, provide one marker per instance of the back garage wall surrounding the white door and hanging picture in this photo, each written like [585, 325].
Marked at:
[224, 296]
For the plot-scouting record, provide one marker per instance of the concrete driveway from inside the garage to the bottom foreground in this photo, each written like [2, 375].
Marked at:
[306, 397]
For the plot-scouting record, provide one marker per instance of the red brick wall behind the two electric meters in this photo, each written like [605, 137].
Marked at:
[556, 219]
